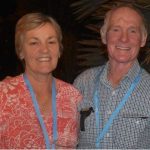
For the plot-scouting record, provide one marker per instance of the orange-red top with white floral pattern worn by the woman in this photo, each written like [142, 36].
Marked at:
[19, 126]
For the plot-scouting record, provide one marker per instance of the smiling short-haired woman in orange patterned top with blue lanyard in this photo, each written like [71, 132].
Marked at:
[37, 110]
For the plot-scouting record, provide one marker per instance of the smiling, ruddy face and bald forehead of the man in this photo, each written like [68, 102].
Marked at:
[124, 36]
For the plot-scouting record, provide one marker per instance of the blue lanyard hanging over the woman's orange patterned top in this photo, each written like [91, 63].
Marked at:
[37, 110]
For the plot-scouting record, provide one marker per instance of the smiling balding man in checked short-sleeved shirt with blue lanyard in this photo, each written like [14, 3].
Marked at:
[115, 111]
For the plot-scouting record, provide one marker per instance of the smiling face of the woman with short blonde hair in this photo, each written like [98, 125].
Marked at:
[40, 49]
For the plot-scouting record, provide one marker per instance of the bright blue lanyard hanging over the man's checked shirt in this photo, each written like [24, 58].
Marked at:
[115, 112]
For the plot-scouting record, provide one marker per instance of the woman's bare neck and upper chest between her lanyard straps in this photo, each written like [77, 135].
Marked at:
[42, 87]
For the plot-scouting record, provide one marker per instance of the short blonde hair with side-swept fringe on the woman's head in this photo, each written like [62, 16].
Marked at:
[31, 21]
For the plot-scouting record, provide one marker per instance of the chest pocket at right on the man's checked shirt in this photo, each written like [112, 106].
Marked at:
[128, 129]
